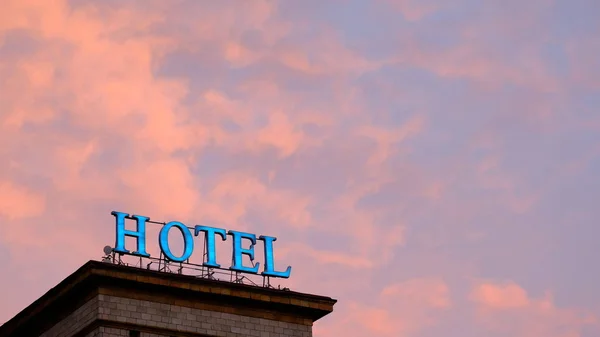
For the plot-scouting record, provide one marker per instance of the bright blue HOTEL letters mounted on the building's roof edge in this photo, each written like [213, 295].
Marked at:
[243, 244]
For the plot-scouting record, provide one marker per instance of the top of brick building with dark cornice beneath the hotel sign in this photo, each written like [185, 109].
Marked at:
[106, 299]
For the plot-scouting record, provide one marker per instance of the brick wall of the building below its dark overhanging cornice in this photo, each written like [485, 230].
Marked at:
[171, 320]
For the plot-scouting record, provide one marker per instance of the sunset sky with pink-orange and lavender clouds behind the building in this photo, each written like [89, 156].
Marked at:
[433, 165]
